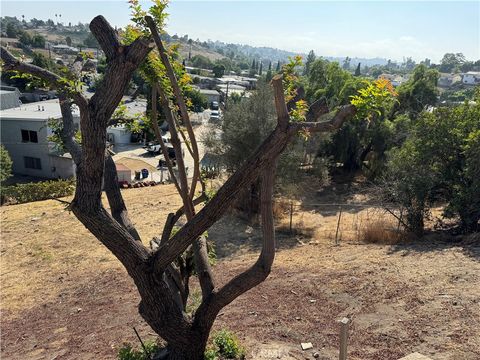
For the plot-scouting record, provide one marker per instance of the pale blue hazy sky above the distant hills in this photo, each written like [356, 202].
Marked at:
[389, 29]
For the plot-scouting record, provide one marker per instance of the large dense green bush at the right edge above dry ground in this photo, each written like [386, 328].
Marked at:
[439, 163]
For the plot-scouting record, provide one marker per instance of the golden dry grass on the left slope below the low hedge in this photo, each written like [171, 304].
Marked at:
[42, 238]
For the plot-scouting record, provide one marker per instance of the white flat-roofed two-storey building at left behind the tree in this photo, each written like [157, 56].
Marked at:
[25, 132]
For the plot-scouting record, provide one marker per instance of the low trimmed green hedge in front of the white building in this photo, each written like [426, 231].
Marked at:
[23, 193]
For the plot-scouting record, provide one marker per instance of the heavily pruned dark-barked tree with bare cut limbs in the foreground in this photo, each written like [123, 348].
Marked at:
[161, 272]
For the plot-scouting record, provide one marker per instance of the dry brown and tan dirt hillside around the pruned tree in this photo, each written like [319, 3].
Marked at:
[63, 296]
